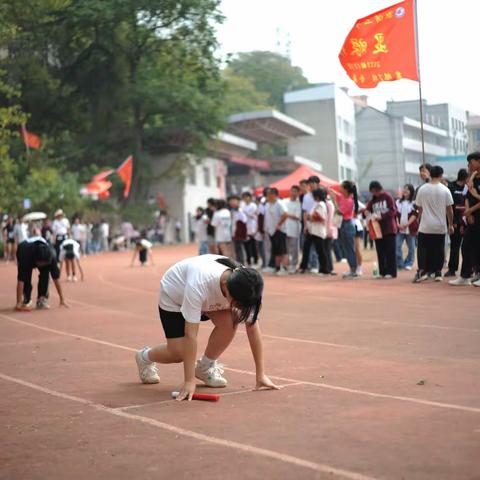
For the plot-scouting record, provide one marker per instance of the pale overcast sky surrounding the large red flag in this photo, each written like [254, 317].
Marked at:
[449, 36]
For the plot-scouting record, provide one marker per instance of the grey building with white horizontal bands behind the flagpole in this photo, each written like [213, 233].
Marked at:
[389, 147]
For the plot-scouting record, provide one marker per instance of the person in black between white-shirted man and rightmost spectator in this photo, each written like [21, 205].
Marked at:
[457, 189]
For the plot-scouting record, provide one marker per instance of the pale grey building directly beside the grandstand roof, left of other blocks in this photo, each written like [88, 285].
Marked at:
[331, 113]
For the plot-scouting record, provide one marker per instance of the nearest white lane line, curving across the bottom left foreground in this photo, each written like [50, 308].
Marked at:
[250, 449]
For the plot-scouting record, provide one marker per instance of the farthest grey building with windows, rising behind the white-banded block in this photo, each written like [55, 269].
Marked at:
[445, 116]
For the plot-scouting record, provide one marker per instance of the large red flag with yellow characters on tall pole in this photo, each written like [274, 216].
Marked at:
[381, 47]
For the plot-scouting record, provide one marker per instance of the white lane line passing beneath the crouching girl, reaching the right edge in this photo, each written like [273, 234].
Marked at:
[418, 401]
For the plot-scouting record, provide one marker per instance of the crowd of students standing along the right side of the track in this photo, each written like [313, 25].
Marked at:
[319, 223]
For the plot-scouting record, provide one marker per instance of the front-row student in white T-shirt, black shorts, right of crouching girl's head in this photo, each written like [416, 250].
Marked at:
[275, 216]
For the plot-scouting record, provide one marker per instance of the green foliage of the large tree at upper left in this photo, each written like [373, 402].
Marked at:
[102, 80]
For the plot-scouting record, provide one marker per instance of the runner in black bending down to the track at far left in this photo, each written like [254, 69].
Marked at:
[32, 253]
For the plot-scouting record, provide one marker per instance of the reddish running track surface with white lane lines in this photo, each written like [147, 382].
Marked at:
[351, 353]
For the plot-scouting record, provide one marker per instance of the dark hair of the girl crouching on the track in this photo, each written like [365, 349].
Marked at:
[245, 285]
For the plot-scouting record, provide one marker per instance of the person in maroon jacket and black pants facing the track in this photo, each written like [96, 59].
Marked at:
[382, 207]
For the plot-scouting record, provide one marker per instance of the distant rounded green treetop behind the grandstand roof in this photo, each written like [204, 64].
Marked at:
[271, 73]
